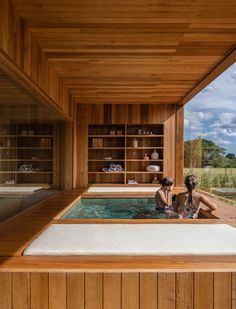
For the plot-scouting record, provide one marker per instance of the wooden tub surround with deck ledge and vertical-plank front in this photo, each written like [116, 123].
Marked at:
[103, 281]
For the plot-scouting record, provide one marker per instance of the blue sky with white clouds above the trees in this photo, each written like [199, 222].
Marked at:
[211, 114]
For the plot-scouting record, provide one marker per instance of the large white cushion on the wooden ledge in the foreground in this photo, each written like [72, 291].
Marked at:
[135, 239]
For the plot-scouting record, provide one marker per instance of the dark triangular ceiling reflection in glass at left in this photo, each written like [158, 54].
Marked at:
[17, 106]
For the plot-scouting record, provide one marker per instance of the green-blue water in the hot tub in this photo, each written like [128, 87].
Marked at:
[114, 208]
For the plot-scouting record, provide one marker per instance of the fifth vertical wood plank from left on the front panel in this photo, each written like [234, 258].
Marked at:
[75, 290]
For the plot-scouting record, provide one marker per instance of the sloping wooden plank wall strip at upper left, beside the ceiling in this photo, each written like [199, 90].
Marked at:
[17, 42]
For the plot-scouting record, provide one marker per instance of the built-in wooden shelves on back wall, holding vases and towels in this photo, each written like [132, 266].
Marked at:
[115, 144]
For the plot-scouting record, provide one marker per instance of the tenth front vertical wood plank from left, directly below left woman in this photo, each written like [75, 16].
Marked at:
[166, 290]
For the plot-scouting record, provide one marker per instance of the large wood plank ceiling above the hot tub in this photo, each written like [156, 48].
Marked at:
[133, 51]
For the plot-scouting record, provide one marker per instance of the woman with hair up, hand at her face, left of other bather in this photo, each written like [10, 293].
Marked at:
[164, 198]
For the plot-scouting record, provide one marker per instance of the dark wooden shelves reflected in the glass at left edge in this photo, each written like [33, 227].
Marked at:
[26, 154]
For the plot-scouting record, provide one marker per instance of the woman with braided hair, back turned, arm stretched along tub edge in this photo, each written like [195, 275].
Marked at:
[187, 204]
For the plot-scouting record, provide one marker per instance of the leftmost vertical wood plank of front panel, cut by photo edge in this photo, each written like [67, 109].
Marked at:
[6, 290]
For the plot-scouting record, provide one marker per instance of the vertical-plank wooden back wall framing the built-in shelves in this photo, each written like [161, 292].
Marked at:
[132, 114]
